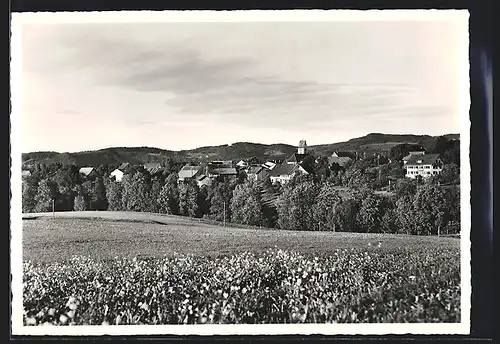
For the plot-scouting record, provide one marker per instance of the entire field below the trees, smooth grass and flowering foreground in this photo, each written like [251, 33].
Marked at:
[95, 271]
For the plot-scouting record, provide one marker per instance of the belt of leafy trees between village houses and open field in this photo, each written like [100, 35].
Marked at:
[332, 198]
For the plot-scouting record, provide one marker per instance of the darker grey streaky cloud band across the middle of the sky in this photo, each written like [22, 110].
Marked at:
[228, 87]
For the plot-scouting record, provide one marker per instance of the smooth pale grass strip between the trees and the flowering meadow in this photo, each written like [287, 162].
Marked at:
[106, 235]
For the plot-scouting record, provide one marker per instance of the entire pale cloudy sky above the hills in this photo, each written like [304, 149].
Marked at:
[182, 85]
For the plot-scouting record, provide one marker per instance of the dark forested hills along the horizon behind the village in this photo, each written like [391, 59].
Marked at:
[371, 143]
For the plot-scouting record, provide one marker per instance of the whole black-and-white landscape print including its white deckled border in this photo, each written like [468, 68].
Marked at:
[245, 172]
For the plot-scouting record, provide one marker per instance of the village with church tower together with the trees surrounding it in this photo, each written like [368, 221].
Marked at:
[384, 184]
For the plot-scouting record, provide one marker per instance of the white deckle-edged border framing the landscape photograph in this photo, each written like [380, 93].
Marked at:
[19, 19]
